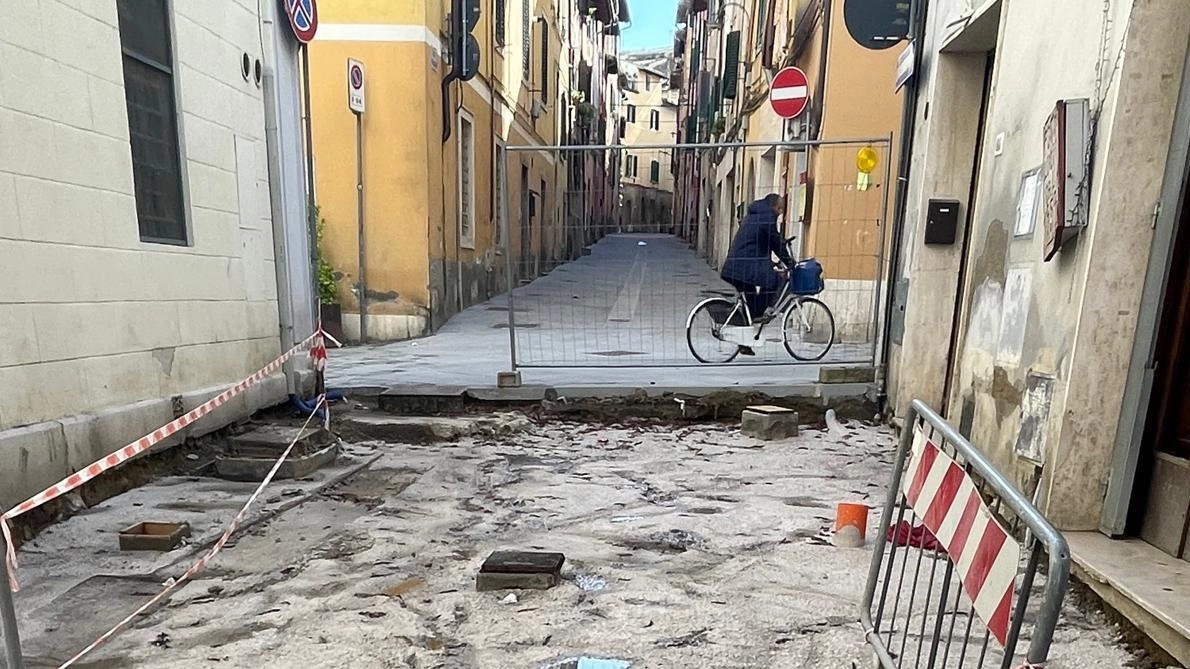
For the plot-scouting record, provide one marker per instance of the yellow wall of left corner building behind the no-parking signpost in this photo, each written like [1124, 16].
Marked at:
[419, 268]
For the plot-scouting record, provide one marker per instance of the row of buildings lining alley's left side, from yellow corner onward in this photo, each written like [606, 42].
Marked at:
[456, 185]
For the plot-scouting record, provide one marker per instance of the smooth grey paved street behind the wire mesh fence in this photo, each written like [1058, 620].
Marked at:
[613, 318]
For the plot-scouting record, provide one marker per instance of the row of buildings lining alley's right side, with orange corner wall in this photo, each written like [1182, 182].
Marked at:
[731, 53]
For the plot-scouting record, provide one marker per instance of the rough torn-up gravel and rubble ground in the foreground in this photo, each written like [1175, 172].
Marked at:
[687, 546]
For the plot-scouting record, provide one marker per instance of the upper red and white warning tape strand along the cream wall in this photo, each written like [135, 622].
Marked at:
[317, 346]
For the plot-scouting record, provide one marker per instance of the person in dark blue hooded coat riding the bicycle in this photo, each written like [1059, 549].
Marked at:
[749, 266]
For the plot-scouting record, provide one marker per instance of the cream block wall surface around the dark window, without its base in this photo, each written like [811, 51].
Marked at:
[90, 315]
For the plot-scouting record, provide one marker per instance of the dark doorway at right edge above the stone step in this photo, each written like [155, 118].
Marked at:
[1166, 478]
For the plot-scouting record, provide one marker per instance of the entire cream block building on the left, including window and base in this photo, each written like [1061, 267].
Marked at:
[152, 223]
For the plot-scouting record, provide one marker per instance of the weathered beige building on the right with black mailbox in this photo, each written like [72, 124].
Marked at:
[1061, 353]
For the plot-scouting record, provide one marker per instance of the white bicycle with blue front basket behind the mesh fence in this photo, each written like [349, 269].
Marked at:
[807, 323]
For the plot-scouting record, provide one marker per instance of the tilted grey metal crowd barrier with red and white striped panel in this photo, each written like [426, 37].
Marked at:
[956, 578]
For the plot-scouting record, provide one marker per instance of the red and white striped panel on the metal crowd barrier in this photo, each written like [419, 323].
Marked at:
[986, 557]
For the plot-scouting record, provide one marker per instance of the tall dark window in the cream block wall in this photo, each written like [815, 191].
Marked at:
[153, 120]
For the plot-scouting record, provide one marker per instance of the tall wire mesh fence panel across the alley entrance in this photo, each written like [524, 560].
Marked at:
[607, 271]
